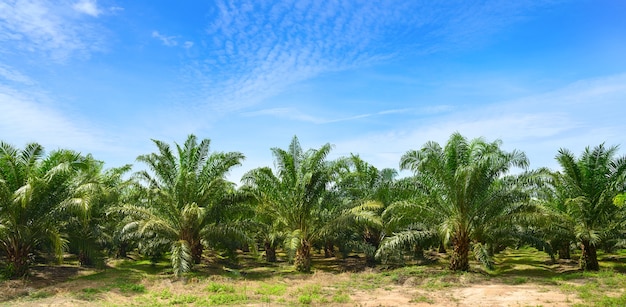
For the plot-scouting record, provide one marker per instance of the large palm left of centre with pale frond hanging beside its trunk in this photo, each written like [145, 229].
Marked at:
[186, 199]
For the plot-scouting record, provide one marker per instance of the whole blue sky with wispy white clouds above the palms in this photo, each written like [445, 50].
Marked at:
[376, 78]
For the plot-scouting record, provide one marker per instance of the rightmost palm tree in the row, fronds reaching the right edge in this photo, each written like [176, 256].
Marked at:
[587, 187]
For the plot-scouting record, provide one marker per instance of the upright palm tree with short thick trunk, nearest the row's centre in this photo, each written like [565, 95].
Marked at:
[295, 195]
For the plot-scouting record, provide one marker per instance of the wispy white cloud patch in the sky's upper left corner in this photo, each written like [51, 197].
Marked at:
[49, 28]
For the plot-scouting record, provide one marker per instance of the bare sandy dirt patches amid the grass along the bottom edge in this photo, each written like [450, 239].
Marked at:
[484, 293]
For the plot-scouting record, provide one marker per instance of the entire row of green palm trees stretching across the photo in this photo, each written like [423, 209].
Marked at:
[469, 196]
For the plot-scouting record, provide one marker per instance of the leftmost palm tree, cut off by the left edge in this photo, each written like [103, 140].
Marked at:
[32, 187]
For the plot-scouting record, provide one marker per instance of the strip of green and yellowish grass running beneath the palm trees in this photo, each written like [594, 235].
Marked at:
[142, 283]
